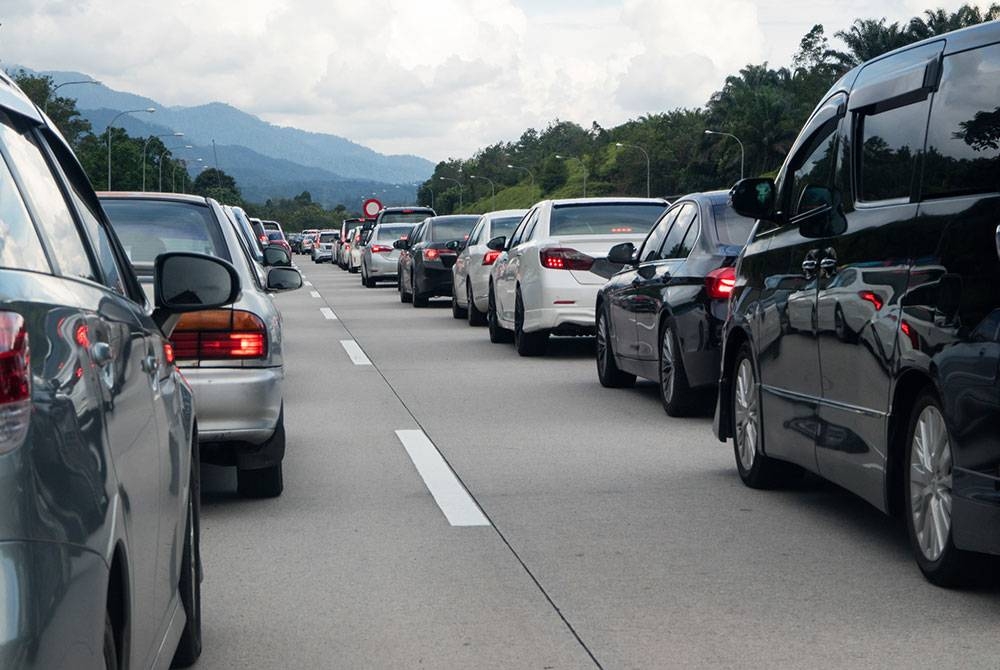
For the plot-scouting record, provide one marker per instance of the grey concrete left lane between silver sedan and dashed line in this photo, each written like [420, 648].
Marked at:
[355, 565]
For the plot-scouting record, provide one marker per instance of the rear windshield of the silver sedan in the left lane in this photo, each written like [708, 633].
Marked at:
[149, 228]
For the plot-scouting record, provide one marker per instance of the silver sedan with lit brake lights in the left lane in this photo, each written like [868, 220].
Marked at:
[233, 357]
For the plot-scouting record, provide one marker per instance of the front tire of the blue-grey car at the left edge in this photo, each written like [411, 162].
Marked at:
[189, 647]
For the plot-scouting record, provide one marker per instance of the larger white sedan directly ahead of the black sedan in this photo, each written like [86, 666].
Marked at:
[546, 279]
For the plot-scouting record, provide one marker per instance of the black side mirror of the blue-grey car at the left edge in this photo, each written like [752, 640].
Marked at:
[188, 282]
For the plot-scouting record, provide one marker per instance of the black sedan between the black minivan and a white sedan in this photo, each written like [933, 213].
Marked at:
[661, 317]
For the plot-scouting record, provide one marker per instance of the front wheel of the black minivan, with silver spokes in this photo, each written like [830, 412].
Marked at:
[756, 469]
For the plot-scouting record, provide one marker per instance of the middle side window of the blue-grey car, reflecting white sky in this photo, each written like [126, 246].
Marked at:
[46, 200]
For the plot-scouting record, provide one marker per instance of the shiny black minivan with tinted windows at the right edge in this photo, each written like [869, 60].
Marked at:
[862, 341]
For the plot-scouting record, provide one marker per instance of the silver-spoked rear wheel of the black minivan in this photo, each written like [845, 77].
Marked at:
[928, 491]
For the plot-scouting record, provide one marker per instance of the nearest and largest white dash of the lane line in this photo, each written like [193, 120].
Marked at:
[456, 503]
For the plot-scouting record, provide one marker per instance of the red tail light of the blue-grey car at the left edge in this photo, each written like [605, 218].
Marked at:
[15, 381]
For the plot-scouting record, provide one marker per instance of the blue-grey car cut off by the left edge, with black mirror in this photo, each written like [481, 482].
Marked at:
[100, 540]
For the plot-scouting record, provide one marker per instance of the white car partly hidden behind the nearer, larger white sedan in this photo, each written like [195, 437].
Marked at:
[471, 272]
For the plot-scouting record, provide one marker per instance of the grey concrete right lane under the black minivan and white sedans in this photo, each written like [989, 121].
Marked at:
[641, 531]
